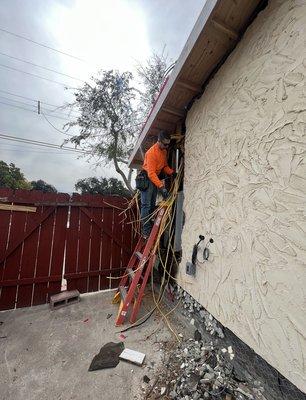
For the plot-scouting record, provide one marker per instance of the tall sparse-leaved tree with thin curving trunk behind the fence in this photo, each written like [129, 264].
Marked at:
[107, 119]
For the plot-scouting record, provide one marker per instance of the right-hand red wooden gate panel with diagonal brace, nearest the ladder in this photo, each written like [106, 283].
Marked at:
[99, 243]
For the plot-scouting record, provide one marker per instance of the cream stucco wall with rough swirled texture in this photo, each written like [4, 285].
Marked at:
[245, 185]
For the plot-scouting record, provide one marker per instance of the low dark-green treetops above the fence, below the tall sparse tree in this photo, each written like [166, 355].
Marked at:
[104, 186]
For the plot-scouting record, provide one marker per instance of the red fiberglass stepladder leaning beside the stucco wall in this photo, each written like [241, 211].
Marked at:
[134, 280]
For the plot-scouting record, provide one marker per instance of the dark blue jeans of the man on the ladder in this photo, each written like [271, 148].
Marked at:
[148, 200]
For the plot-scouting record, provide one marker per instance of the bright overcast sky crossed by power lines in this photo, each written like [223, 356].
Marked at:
[105, 34]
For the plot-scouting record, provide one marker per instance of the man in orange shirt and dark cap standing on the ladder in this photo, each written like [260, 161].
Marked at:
[155, 162]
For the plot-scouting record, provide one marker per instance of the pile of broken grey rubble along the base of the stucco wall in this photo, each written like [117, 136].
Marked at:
[201, 368]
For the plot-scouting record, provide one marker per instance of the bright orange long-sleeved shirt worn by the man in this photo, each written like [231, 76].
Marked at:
[156, 161]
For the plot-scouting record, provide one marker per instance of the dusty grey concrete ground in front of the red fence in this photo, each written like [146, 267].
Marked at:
[45, 354]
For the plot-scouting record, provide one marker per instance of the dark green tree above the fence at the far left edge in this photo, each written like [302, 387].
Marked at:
[11, 177]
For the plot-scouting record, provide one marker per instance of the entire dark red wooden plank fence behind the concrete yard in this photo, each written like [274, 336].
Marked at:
[82, 238]
